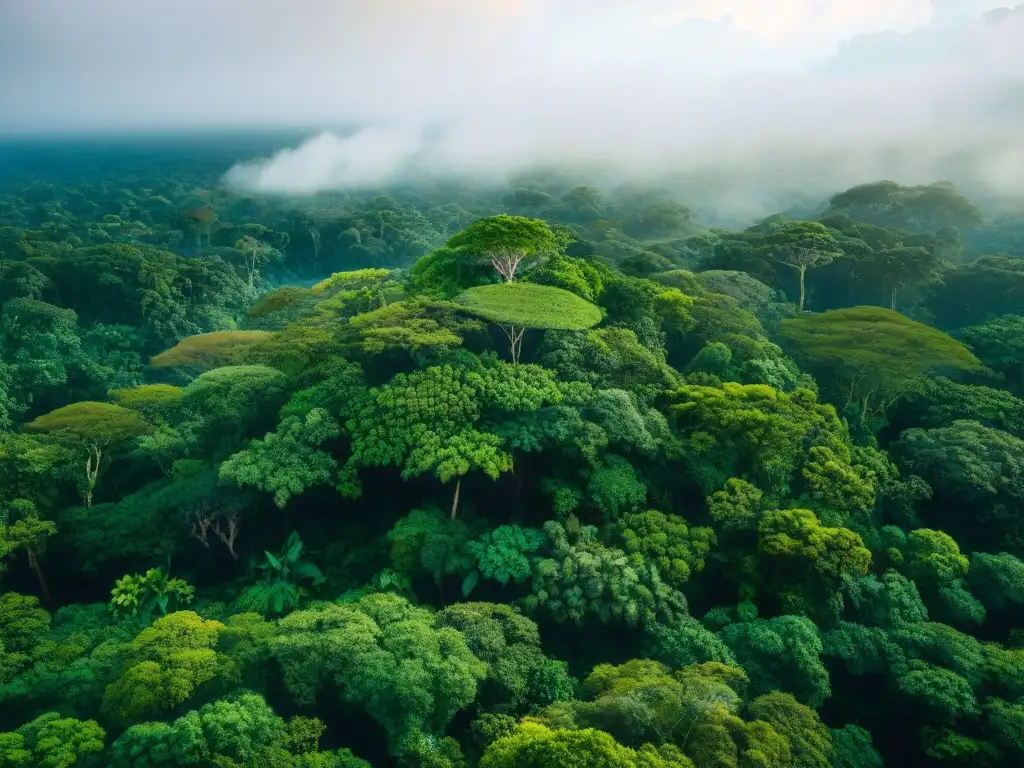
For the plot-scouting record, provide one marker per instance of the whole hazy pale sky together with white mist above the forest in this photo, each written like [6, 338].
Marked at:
[740, 98]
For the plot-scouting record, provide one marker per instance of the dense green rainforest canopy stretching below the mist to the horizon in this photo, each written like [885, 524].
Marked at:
[539, 475]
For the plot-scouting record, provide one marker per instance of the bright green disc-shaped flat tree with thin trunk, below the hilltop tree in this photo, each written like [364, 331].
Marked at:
[519, 307]
